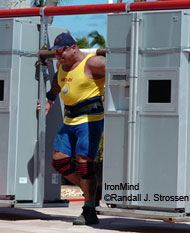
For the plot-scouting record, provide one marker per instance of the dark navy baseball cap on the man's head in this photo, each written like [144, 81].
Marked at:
[63, 40]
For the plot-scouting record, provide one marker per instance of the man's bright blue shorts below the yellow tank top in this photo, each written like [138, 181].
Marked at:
[82, 139]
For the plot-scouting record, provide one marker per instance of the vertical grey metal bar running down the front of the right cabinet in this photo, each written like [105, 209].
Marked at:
[134, 53]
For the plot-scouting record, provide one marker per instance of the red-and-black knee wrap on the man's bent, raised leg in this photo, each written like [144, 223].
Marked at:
[64, 166]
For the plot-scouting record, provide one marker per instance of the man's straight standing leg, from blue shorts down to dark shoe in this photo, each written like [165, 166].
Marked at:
[89, 135]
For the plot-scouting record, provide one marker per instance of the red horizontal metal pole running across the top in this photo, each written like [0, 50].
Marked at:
[97, 8]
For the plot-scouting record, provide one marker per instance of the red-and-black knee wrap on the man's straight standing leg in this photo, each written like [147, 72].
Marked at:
[86, 170]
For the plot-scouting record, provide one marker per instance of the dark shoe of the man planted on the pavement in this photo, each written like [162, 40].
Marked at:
[88, 217]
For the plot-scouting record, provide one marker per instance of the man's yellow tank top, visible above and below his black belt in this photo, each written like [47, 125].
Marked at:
[76, 87]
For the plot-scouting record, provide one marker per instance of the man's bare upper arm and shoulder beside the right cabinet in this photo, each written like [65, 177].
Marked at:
[95, 67]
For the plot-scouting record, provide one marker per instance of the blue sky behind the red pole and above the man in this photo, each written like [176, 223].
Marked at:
[82, 25]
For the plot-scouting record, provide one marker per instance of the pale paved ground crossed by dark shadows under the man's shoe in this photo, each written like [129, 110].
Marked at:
[59, 220]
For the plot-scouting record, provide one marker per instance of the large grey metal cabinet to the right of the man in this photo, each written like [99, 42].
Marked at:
[147, 111]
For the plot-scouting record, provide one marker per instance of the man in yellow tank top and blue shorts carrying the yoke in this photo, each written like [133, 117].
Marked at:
[80, 81]
